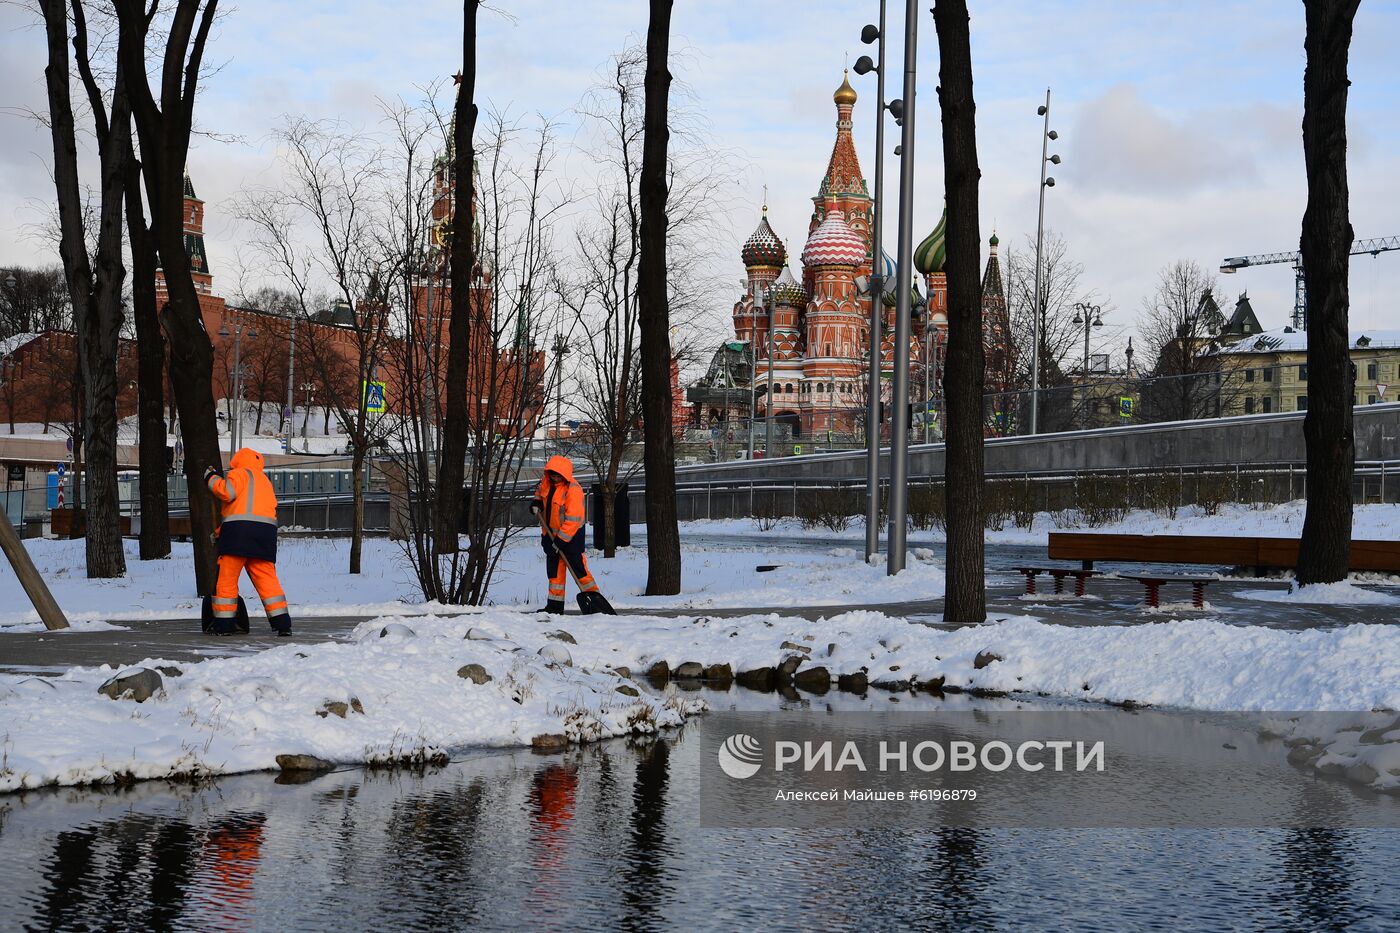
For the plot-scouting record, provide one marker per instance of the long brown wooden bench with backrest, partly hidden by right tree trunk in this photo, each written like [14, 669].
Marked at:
[1262, 554]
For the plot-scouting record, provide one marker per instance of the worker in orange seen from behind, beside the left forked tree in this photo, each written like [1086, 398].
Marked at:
[248, 539]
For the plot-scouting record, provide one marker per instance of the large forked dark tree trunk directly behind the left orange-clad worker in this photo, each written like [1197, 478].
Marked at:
[164, 132]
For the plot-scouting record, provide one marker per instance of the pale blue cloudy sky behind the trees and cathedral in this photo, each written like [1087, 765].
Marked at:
[1179, 121]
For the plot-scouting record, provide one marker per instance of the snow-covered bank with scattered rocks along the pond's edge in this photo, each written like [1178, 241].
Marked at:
[232, 715]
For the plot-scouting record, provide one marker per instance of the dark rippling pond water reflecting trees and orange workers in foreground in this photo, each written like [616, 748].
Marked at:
[607, 837]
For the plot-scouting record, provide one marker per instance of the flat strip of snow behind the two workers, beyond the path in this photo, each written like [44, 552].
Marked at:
[313, 572]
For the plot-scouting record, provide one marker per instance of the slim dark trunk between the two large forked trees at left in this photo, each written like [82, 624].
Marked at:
[150, 376]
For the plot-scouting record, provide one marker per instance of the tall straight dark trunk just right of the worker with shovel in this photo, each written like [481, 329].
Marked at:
[654, 317]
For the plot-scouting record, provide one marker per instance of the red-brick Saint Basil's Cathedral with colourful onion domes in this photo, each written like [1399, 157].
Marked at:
[821, 323]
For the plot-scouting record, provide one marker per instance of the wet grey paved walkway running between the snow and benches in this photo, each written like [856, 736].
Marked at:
[1112, 603]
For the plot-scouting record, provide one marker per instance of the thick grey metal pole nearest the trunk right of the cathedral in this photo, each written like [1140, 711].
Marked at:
[899, 400]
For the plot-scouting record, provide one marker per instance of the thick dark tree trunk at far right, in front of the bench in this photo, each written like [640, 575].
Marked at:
[1325, 551]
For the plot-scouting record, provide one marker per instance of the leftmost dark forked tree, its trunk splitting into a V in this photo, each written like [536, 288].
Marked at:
[96, 293]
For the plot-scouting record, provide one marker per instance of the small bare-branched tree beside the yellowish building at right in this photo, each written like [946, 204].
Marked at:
[1179, 327]
